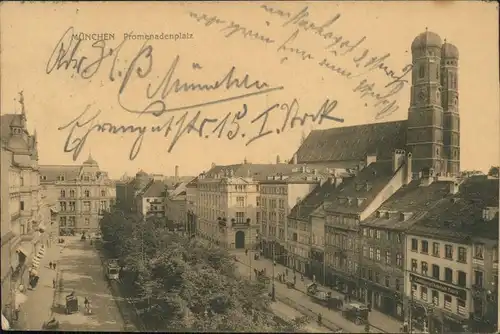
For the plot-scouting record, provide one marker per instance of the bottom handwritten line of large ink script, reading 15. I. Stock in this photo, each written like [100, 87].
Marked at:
[249, 125]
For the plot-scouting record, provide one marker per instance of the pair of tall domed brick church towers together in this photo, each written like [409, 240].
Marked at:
[433, 126]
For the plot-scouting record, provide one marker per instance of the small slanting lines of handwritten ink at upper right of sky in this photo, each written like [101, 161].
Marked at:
[382, 97]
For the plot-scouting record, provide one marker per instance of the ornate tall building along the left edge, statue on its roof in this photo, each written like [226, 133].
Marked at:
[25, 218]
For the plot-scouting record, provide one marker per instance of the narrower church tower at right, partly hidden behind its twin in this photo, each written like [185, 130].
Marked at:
[451, 126]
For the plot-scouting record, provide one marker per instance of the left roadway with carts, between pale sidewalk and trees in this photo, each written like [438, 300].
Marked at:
[81, 271]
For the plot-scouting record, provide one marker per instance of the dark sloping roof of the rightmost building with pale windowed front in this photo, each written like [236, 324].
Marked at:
[459, 217]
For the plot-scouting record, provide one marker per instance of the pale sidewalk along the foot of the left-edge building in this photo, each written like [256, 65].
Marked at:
[38, 307]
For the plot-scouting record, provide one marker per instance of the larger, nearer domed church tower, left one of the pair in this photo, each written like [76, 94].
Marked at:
[425, 116]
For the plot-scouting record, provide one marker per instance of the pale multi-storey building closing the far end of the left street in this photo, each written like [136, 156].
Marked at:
[82, 193]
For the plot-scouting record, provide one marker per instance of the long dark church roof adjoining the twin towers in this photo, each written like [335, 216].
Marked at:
[353, 142]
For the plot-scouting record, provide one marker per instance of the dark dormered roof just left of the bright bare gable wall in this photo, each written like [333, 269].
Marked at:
[365, 186]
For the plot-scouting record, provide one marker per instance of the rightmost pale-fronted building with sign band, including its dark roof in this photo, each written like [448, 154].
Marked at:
[450, 279]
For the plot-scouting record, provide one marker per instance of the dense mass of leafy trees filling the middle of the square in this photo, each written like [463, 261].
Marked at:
[184, 284]
